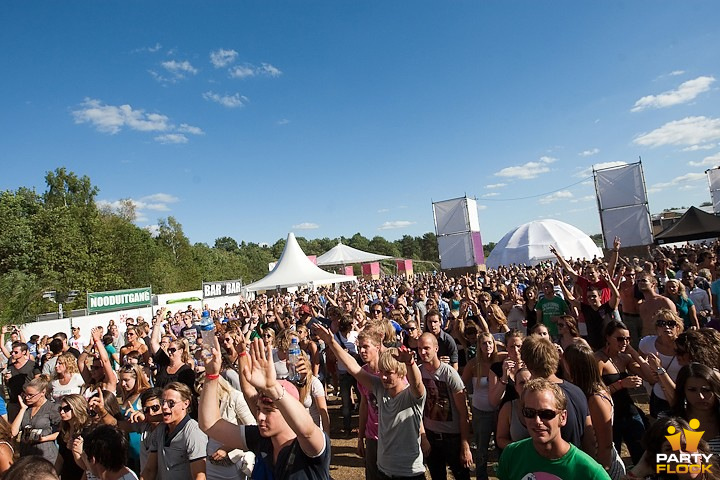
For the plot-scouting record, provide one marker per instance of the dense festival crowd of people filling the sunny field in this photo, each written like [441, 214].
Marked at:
[558, 368]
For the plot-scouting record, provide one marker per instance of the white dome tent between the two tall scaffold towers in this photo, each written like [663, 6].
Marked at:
[530, 244]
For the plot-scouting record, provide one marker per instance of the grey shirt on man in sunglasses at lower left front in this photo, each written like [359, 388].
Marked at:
[176, 452]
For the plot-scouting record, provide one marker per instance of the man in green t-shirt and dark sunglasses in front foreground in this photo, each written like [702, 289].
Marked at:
[545, 454]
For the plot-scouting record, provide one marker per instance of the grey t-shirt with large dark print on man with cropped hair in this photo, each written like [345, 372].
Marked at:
[440, 414]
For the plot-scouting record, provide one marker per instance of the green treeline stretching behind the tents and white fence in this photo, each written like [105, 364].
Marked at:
[61, 241]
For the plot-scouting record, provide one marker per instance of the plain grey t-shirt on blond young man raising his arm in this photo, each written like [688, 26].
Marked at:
[399, 420]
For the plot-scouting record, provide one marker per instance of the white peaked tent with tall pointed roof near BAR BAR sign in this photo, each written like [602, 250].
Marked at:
[293, 269]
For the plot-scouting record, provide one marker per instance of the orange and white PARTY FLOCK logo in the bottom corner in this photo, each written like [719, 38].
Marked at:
[688, 460]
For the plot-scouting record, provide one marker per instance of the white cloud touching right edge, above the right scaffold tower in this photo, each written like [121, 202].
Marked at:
[688, 131]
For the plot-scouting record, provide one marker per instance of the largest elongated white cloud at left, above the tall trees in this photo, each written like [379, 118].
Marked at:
[112, 119]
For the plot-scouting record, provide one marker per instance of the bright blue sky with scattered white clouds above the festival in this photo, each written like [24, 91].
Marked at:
[252, 118]
